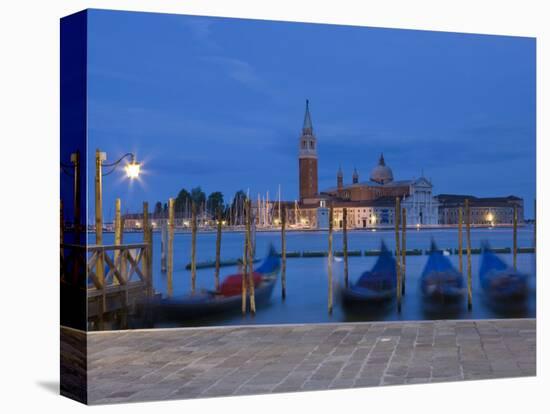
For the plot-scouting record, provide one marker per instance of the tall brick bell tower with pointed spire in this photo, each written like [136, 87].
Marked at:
[307, 158]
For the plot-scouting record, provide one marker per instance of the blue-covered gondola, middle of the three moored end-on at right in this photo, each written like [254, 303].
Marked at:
[440, 282]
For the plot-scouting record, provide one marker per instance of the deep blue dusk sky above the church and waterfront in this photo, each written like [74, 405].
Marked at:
[219, 103]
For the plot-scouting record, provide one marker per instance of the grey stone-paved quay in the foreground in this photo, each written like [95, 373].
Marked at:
[143, 365]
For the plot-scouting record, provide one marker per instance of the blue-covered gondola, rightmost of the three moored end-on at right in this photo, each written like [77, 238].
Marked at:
[499, 281]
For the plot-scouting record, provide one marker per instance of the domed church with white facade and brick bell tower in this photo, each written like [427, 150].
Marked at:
[369, 203]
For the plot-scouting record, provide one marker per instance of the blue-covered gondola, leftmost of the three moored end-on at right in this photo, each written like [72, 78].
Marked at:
[375, 285]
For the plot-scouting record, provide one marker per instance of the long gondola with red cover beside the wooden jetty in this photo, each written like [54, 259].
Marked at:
[227, 298]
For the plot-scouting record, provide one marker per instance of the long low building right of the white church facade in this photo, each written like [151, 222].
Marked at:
[492, 211]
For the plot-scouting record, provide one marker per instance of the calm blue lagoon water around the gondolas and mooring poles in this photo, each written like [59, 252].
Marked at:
[307, 279]
